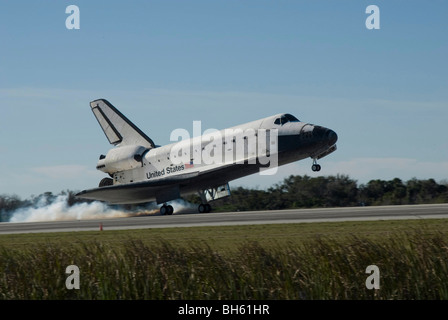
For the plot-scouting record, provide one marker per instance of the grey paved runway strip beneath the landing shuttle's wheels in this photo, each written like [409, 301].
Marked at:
[234, 218]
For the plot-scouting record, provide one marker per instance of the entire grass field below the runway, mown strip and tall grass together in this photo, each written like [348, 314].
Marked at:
[278, 261]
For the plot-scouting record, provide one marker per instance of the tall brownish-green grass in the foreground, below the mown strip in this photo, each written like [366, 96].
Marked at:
[412, 266]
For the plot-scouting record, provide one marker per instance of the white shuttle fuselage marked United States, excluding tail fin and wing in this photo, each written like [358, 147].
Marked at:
[257, 143]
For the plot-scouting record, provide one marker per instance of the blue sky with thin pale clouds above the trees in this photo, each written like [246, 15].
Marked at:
[167, 63]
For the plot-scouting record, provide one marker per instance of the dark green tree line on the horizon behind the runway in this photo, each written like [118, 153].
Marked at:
[293, 192]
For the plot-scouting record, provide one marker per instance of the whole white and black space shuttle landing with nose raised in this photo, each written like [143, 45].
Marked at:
[139, 171]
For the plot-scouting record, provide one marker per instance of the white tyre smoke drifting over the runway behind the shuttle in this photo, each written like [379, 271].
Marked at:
[59, 210]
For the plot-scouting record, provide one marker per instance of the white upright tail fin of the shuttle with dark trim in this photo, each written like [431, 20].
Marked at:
[118, 128]
